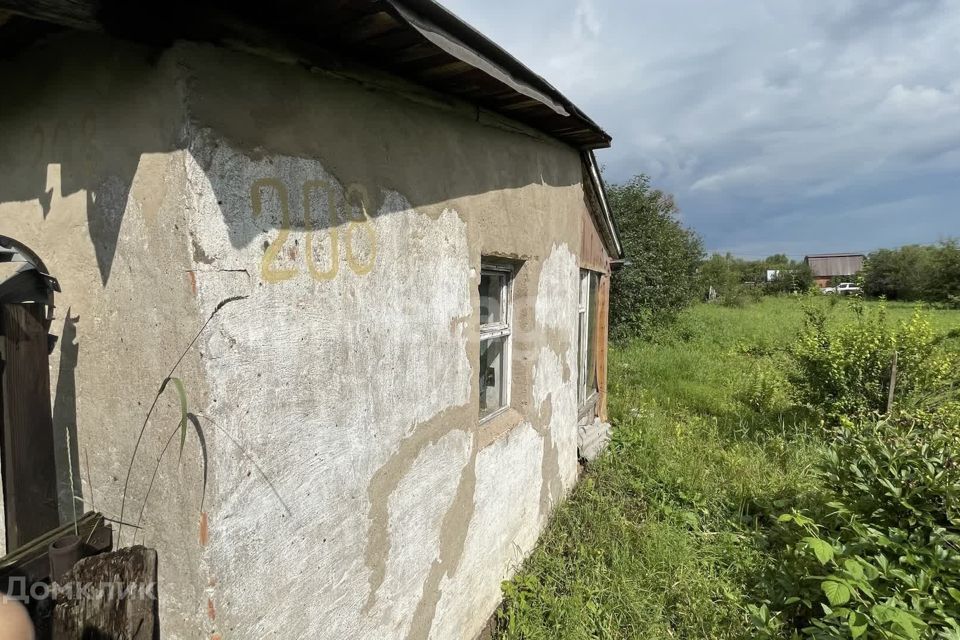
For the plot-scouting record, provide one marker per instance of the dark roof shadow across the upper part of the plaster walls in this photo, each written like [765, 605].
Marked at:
[93, 117]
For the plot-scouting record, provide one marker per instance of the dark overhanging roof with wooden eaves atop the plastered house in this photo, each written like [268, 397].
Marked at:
[418, 40]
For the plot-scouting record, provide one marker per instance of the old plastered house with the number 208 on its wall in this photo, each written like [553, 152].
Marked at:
[365, 249]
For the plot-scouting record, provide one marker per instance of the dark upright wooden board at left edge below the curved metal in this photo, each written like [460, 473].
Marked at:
[27, 446]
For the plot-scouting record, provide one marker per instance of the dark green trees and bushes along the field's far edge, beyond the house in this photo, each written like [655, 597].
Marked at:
[667, 268]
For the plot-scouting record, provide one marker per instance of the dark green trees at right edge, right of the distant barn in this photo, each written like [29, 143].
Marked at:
[915, 272]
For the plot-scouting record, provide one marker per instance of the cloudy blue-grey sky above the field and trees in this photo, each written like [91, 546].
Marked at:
[793, 126]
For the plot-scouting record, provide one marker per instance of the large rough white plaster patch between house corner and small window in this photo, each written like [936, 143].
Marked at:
[319, 390]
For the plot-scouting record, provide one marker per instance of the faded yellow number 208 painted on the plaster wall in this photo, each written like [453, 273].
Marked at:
[356, 195]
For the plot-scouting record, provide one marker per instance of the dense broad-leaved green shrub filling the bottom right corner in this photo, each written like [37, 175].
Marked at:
[881, 558]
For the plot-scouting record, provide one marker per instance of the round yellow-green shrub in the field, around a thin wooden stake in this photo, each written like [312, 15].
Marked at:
[845, 369]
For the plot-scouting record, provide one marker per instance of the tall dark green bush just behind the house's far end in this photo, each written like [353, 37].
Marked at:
[663, 256]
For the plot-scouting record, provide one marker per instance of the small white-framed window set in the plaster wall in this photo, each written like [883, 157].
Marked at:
[495, 318]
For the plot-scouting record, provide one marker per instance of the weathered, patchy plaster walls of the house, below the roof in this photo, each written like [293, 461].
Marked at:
[350, 490]
